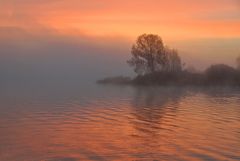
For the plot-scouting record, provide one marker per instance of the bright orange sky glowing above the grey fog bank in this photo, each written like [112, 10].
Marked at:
[172, 19]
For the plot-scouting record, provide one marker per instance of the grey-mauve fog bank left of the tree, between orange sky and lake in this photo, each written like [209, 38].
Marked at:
[30, 60]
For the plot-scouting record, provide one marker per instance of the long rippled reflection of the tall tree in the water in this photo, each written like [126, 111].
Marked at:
[150, 105]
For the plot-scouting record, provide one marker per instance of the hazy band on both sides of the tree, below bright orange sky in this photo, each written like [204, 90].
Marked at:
[50, 59]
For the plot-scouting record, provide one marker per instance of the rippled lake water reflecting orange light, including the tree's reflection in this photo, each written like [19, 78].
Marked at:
[97, 122]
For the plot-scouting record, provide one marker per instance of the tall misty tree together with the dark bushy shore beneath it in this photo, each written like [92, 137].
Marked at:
[156, 64]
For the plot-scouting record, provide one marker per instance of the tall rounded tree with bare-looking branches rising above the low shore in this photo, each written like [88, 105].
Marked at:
[149, 55]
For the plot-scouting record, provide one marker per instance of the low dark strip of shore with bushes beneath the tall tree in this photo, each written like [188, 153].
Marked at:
[219, 75]
